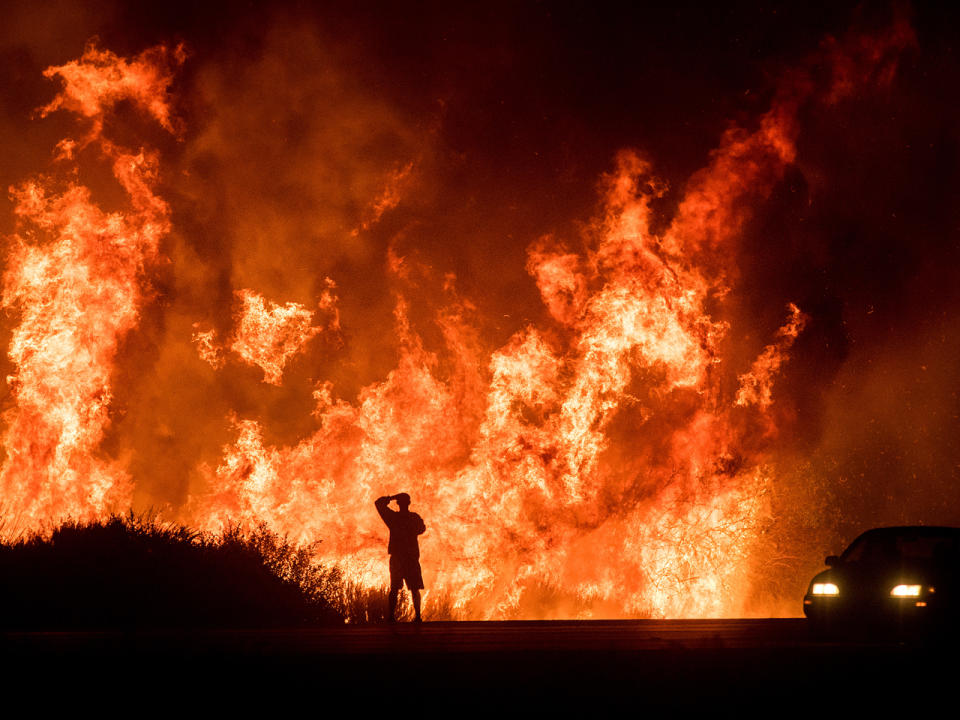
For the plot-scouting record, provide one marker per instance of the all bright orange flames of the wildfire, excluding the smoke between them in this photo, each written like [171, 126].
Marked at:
[609, 455]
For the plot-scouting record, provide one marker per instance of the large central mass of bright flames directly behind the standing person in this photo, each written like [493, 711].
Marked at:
[520, 498]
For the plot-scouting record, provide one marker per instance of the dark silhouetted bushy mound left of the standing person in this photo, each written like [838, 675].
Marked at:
[127, 572]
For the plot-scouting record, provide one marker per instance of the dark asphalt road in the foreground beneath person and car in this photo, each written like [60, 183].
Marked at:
[691, 664]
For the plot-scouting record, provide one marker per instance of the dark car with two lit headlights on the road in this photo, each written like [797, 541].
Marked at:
[895, 578]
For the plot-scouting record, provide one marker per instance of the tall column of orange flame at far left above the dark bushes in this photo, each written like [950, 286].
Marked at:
[75, 275]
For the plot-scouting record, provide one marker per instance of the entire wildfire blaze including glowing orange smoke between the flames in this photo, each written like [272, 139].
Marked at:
[614, 446]
